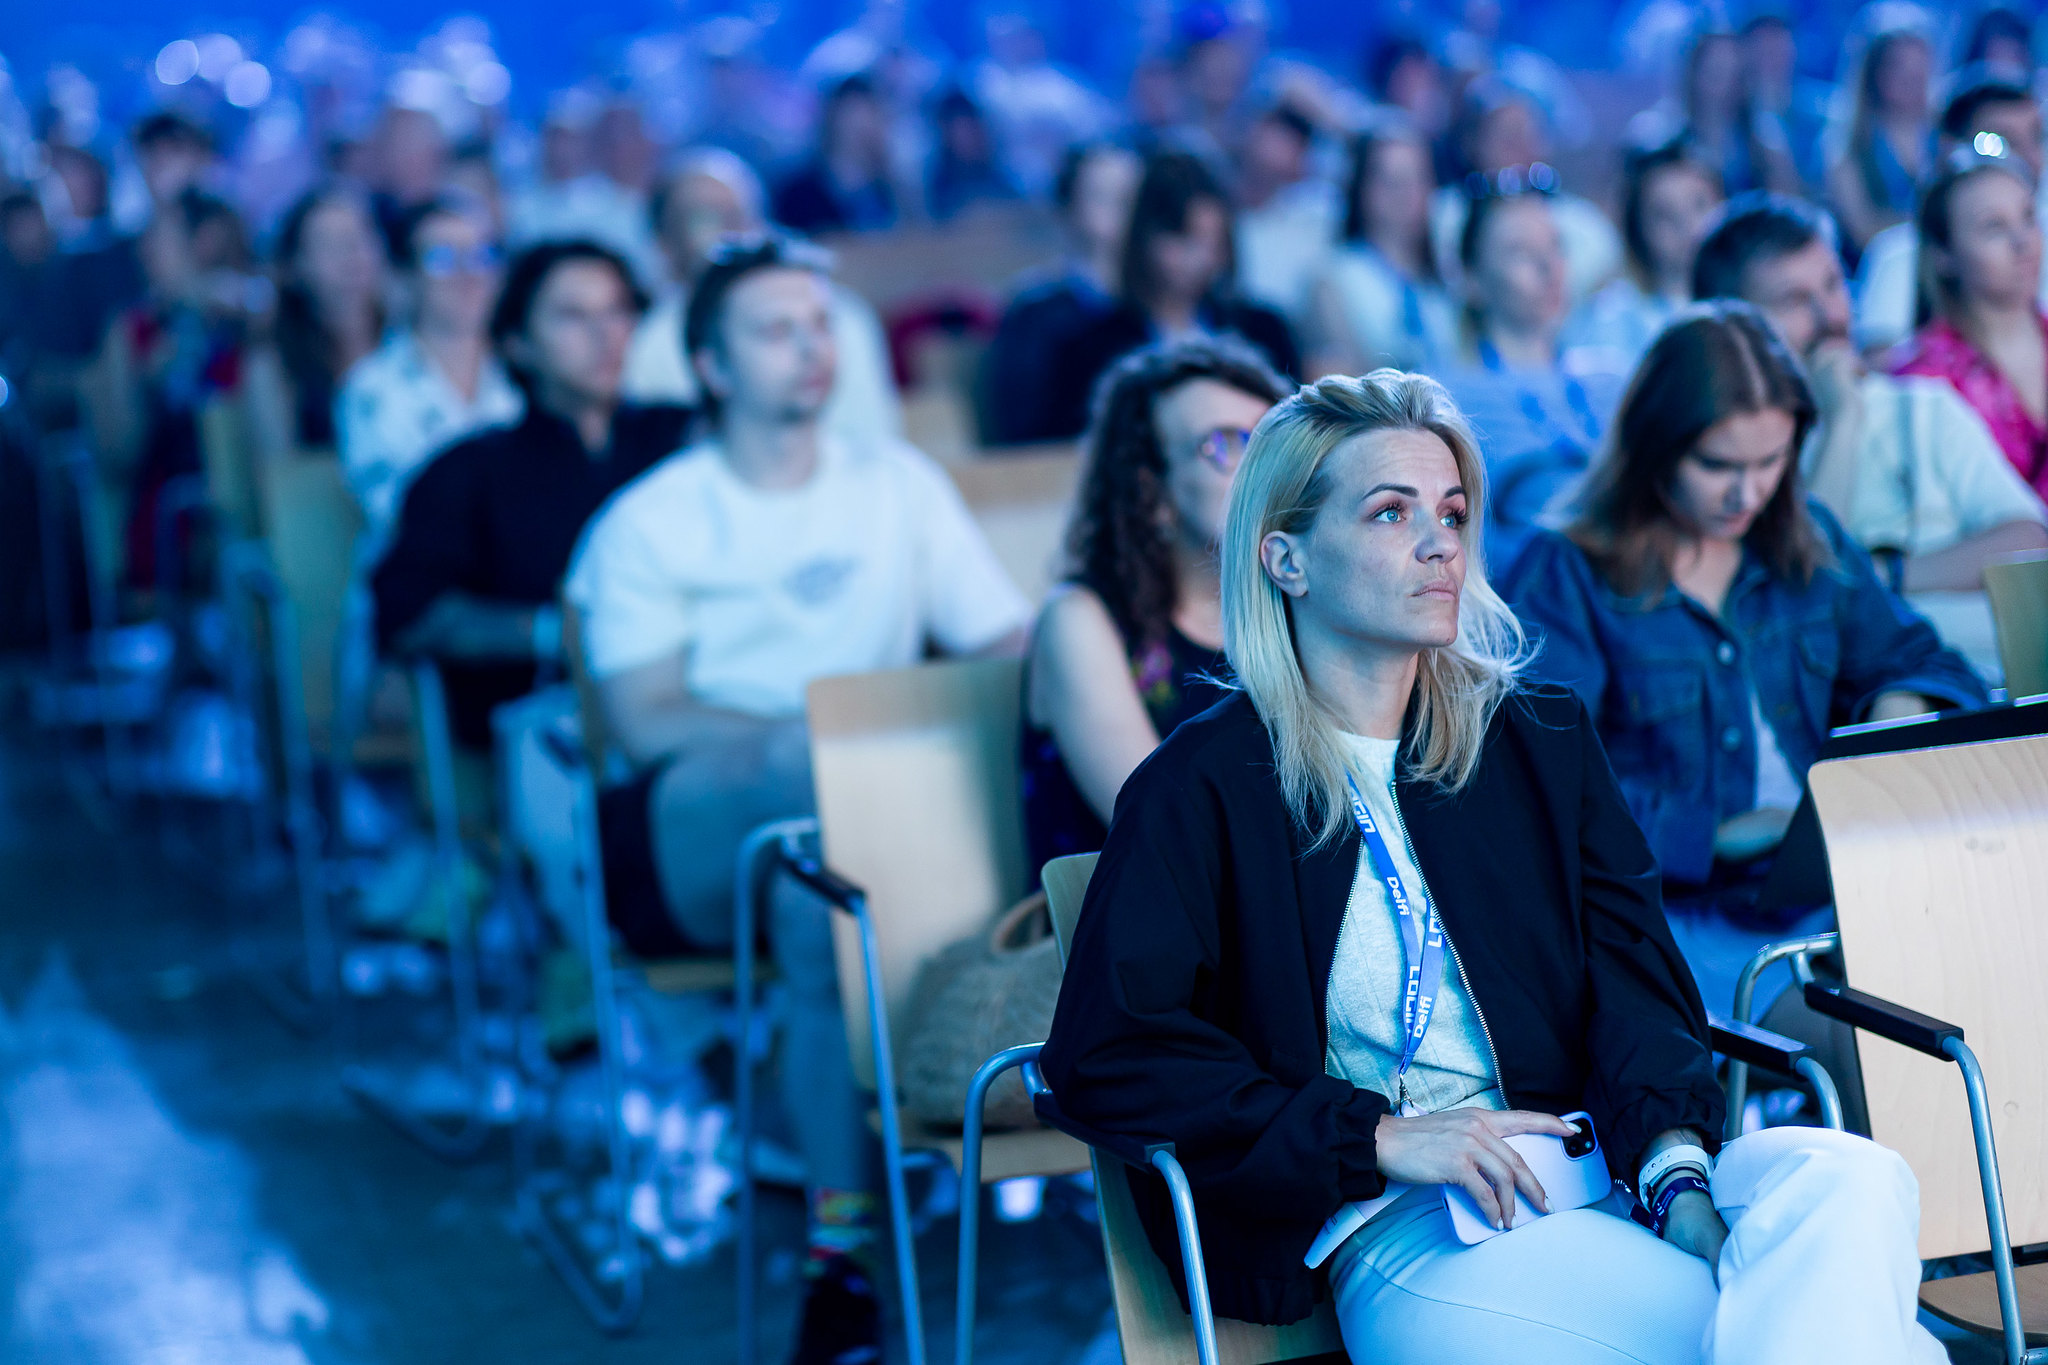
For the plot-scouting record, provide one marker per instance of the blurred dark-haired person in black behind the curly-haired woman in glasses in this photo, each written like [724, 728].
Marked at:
[1177, 283]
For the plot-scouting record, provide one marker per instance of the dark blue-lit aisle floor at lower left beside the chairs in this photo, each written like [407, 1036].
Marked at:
[185, 1180]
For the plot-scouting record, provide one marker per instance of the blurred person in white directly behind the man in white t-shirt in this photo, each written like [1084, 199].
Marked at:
[708, 197]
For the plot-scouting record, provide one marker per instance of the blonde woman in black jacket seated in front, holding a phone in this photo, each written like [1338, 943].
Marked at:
[1385, 779]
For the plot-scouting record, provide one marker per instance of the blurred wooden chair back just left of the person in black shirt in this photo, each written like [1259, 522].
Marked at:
[310, 525]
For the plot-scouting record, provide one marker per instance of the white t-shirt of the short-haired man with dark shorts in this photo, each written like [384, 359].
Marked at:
[763, 592]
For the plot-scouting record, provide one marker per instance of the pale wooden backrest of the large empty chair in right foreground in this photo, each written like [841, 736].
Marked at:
[1940, 867]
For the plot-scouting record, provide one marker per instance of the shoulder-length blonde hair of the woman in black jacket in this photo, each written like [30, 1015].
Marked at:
[1281, 486]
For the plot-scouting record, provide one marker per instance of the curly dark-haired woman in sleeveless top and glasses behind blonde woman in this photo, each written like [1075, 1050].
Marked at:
[1127, 648]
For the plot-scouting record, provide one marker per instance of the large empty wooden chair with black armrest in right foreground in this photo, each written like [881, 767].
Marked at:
[1940, 863]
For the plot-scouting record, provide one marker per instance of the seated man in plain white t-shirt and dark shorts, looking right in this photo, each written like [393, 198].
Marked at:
[710, 595]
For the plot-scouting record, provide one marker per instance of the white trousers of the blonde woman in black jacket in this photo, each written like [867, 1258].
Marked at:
[1822, 1266]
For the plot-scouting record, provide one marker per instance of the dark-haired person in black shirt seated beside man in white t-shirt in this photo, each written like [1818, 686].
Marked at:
[488, 527]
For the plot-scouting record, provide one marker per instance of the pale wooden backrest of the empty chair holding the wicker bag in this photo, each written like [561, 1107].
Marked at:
[916, 777]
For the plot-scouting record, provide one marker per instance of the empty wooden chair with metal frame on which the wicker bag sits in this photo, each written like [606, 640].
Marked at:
[919, 807]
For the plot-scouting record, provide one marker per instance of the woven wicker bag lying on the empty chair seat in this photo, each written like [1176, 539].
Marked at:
[978, 998]
